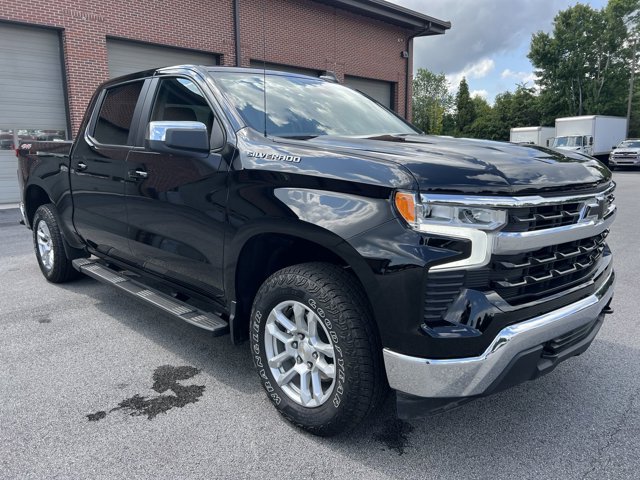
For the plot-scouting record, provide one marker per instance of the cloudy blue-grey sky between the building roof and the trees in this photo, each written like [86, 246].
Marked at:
[488, 41]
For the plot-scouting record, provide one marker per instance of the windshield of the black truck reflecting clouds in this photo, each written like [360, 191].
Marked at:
[306, 107]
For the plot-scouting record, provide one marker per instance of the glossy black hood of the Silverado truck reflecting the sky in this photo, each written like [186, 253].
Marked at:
[444, 164]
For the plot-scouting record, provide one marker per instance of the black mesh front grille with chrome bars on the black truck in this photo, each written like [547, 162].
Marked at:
[548, 245]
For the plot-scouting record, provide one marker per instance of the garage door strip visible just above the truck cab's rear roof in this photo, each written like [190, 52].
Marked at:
[129, 57]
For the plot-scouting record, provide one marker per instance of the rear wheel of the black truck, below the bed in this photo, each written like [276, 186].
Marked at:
[49, 246]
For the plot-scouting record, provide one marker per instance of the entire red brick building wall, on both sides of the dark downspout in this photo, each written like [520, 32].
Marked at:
[298, 32]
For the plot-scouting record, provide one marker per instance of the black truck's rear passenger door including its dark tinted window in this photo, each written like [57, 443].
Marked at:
[98, 169]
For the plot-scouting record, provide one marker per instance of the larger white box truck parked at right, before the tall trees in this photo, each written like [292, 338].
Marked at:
[594, 135]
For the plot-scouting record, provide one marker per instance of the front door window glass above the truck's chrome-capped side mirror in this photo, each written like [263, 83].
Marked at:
[179, 99]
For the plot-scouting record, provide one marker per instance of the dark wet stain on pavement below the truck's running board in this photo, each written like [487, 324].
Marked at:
[165, 378]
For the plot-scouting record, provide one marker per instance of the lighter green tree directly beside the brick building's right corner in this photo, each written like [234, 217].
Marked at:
[431, 101]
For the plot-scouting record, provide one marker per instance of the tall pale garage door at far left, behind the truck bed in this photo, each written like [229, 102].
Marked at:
[32, 104]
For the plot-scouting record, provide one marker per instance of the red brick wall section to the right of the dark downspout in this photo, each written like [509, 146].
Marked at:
[306, 34]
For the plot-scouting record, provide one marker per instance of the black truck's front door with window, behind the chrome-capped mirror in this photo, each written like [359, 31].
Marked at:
[177, 203]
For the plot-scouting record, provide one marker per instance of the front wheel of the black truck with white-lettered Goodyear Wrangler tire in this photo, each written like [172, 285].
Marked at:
[316, 349]
